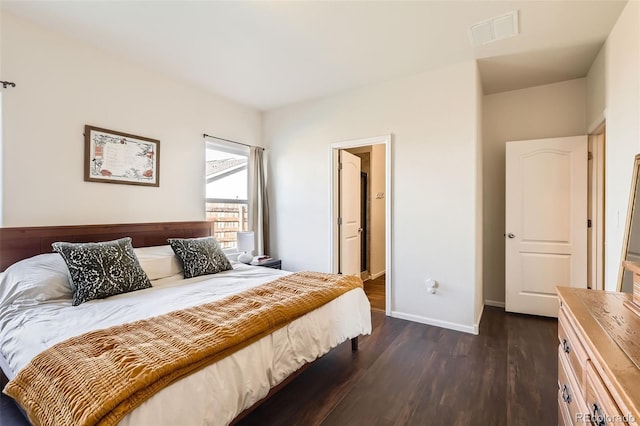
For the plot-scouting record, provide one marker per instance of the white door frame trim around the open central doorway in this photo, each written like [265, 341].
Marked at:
[334, 242]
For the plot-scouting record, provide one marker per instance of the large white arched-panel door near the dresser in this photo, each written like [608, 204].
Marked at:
[546, 222]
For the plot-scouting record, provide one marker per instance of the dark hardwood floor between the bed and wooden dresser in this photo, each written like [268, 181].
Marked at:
[413, 374]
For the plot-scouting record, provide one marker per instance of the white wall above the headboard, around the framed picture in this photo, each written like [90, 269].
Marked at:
[63, 84]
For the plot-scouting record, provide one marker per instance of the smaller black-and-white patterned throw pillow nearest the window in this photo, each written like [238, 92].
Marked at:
[200, 256]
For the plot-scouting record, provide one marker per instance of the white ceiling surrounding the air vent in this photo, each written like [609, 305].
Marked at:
[267, 54]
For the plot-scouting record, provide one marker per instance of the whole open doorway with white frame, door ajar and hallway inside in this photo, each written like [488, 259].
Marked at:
[369, 191]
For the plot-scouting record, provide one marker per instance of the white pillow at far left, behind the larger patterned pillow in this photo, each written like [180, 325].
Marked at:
[35, 280]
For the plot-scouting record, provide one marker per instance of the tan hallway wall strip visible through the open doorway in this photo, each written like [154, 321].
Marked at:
[378, 240]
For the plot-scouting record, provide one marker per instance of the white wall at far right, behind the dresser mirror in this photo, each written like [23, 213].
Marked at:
[622, 87]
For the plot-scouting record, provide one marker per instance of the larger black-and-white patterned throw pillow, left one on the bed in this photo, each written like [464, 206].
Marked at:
[100, 270]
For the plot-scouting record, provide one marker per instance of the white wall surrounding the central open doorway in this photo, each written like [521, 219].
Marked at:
[433, 119]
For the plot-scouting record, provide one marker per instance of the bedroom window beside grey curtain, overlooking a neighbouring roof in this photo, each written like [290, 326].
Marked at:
[227, 188]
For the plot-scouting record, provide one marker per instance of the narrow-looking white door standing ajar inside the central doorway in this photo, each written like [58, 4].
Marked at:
[349, 221]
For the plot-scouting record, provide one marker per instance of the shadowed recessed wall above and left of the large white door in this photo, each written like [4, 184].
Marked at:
[552, 110]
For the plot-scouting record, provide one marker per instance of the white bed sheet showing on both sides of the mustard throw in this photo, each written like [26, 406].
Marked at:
[218, 393]
